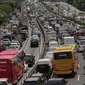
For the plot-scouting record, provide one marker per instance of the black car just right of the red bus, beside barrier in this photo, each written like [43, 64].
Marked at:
[30, 60]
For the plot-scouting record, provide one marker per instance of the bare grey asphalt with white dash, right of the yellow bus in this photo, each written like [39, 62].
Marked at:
[79, 79]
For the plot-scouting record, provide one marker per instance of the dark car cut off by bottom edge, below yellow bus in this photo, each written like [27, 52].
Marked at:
[56, 81]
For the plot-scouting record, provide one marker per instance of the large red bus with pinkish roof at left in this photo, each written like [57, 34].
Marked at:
[12, 65]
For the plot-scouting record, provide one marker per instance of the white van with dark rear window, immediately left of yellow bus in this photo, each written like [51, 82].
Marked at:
[44, 66]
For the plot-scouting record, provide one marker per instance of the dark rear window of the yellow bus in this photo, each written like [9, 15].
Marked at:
[62, 55]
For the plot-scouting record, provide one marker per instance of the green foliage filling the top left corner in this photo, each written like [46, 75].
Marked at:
[6, 7]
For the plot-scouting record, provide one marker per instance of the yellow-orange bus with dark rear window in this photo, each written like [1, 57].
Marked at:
[65, 59]
